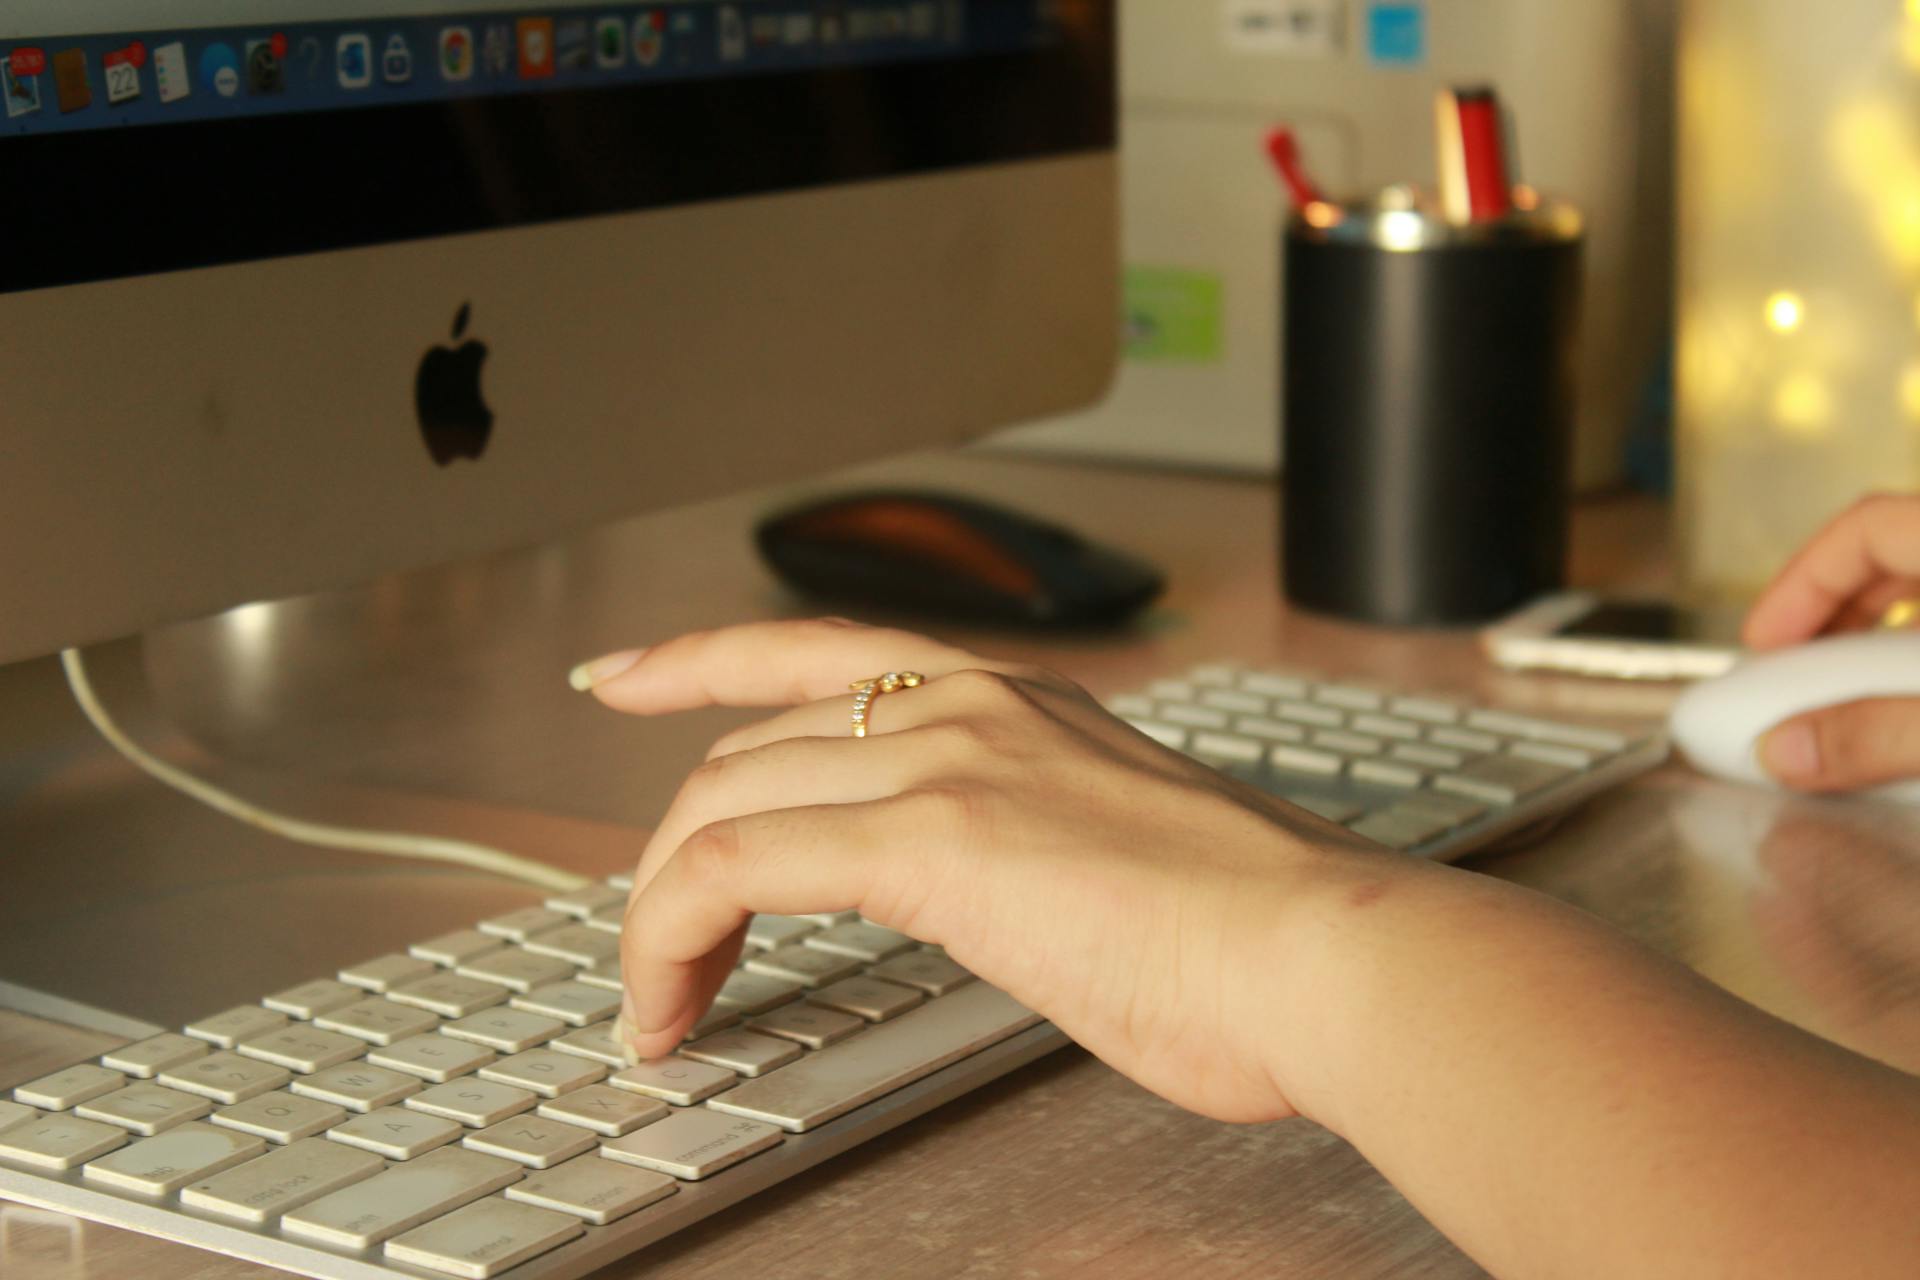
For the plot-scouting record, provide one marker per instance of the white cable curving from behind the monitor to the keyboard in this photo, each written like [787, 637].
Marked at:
[324, 836]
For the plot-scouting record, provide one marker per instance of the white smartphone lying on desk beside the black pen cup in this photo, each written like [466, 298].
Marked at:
[1623, 640]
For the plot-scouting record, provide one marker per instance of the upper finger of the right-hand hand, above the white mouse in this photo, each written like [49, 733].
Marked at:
[1875, 538]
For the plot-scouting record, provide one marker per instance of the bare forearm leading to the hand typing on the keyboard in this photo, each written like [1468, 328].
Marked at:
[1564, 1102]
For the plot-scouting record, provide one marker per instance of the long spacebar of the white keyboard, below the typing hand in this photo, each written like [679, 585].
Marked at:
[880, 1060]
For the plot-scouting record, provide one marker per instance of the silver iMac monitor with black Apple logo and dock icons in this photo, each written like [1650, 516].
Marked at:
[304, 293]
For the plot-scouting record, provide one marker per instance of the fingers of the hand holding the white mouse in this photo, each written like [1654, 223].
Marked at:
[1844, 581]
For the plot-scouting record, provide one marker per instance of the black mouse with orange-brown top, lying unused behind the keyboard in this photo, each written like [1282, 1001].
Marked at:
[955, 557]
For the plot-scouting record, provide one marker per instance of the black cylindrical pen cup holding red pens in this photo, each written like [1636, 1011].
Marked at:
[1428, 412]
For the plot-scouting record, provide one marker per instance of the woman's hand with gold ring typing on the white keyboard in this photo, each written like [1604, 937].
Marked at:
[1143, 903]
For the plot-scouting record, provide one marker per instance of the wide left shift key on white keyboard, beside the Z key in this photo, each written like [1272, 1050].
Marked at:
[400, 1198]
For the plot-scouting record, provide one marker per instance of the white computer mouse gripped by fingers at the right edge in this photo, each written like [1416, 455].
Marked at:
[1719, 723]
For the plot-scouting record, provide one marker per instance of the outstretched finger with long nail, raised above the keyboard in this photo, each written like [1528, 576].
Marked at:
[771, 665]
